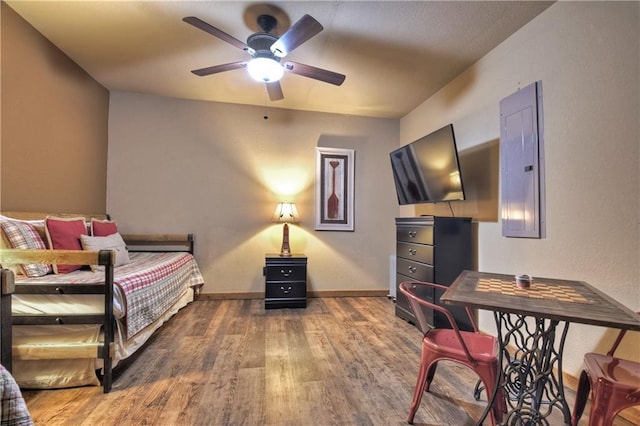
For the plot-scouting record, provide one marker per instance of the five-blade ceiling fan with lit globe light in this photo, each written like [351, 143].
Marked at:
[267, 51]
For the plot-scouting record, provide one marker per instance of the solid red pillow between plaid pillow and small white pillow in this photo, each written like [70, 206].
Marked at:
[64, 234]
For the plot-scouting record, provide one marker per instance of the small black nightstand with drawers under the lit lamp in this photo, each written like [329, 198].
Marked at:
[285, 281]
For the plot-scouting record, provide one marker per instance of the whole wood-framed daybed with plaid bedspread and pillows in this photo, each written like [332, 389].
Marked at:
[68, 326]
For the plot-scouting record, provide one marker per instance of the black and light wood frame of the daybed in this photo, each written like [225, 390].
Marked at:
[103, 349]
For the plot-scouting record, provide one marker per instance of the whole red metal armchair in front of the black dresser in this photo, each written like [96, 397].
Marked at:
[471, 348]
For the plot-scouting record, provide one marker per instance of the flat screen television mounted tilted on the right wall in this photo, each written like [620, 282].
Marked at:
[427, 170]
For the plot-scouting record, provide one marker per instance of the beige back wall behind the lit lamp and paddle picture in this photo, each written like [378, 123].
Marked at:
[218, 170]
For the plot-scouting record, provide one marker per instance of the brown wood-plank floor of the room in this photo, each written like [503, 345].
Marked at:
[340, 361]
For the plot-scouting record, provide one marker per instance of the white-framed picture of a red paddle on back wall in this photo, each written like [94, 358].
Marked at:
[334, 196]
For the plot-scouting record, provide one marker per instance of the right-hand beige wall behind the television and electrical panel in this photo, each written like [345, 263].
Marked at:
[587, 57]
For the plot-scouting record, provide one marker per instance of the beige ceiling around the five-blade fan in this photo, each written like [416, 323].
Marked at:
[395, 54]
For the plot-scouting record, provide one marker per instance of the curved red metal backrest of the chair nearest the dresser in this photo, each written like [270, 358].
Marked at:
[415, 302]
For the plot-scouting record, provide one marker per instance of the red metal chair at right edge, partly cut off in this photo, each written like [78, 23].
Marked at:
[614, 382]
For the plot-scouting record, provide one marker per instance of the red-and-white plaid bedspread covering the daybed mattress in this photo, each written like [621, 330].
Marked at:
[149, 284]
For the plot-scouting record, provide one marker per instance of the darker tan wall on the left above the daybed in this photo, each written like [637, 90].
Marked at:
[54, 126]
